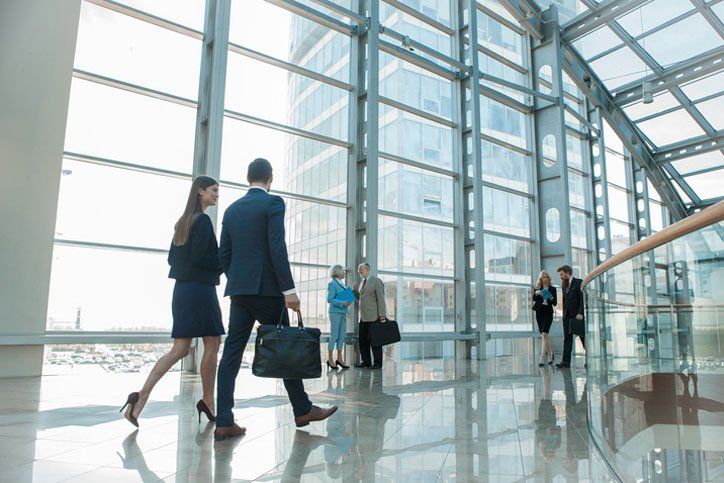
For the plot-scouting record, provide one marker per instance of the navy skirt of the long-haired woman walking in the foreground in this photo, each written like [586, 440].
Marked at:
[196, 311]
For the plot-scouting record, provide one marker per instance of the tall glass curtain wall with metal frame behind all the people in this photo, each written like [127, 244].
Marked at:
[289, 97]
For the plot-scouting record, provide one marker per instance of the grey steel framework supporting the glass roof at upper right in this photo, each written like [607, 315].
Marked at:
[662, 79]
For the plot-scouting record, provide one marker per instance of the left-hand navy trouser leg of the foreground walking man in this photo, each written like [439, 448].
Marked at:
[241, 322]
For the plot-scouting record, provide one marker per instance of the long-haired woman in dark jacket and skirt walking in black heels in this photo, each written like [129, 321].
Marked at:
[196, 313]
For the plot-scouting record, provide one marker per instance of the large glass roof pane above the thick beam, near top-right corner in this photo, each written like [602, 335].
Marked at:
[681, 41]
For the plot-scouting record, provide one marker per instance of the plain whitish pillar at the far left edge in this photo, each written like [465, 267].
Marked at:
[37, 48]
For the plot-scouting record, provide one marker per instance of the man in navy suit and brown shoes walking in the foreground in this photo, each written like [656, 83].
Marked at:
[253, 255]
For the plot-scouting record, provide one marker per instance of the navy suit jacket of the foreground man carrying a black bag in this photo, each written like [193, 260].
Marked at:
[253, 253]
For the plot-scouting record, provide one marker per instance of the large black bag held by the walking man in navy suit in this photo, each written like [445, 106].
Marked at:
[285, 352]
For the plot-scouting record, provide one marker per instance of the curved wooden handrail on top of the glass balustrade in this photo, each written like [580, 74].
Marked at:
[706, 217]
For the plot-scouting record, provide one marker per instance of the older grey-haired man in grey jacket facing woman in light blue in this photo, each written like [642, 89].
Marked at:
[371, 297]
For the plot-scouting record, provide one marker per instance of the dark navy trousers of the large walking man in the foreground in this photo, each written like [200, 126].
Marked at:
[245, 309]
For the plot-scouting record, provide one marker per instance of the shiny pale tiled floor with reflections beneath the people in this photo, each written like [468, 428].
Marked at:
[500, 420]
